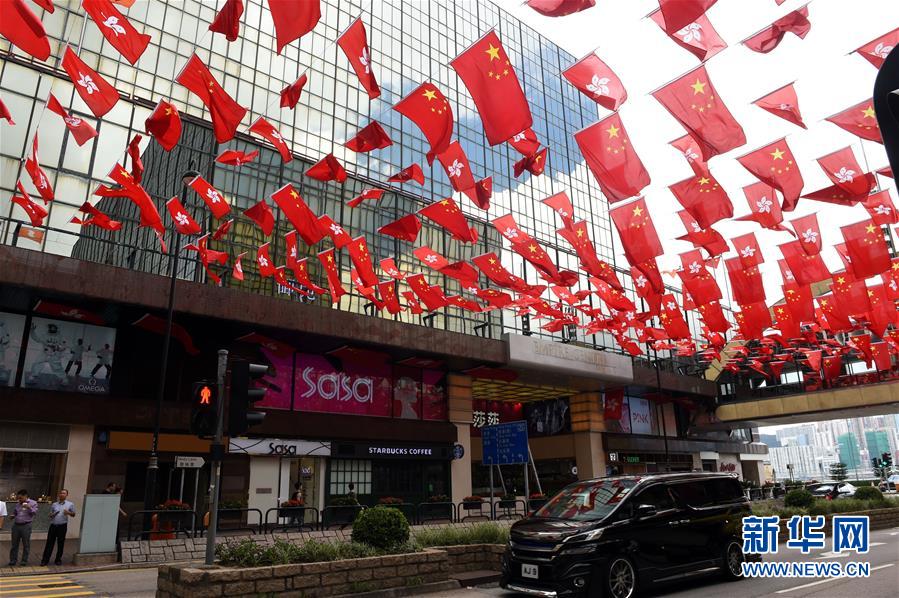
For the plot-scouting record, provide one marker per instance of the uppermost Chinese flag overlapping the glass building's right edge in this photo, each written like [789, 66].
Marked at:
[612, 159]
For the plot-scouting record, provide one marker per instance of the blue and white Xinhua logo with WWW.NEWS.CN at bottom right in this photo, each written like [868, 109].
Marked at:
[806, 533]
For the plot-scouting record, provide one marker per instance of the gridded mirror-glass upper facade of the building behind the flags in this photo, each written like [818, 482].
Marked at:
[411, 42]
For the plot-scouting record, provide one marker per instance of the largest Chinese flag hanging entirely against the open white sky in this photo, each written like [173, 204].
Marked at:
[693, 101]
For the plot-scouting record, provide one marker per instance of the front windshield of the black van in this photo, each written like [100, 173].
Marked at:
[587, 501]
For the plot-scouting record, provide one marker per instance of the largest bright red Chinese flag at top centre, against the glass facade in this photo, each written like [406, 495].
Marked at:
[487, 73]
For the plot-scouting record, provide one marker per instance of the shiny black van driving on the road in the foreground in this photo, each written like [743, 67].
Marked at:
[612, 536]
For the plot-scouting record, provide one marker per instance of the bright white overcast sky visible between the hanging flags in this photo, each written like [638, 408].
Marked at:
[827, 78]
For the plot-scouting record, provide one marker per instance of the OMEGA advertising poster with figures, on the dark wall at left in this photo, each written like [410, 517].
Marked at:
[68, 356]
